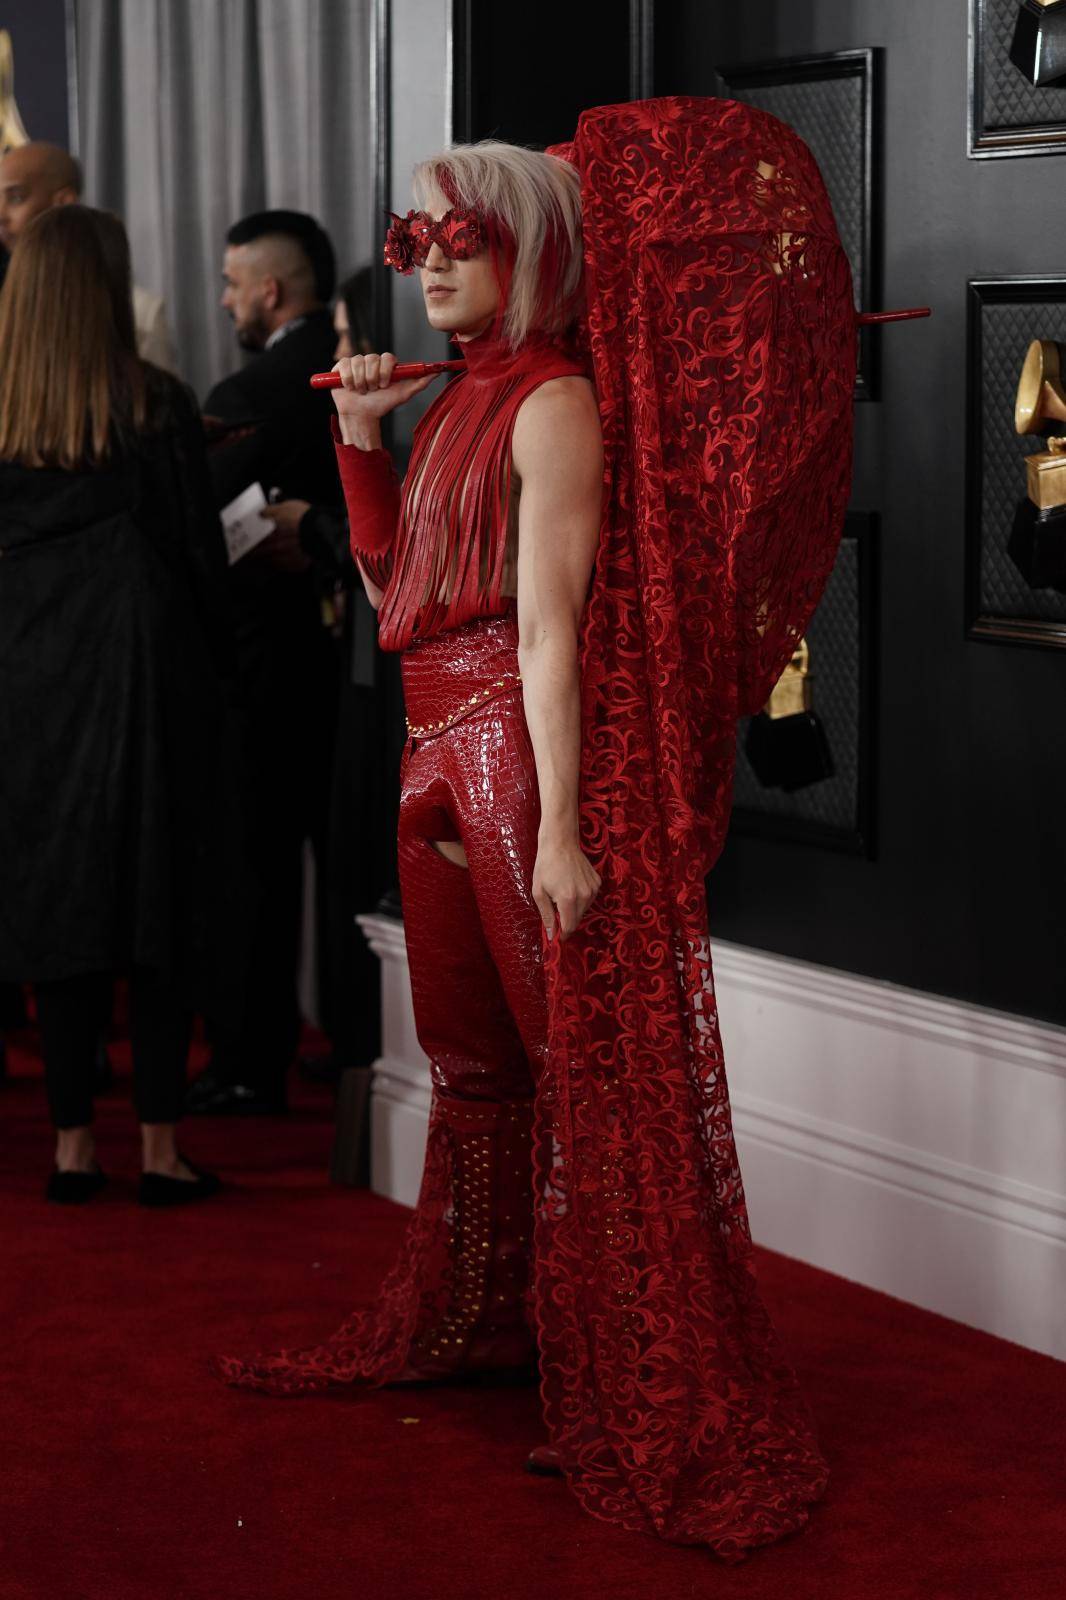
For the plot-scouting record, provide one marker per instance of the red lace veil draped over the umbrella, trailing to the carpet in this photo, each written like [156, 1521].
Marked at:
[723, 337]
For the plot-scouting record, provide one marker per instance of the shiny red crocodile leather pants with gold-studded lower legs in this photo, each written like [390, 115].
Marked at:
[478, 986]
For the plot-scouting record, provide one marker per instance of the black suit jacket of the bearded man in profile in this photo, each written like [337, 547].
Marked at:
[289, 447]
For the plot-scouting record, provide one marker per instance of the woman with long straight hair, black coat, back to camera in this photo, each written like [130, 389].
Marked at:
[111, 638]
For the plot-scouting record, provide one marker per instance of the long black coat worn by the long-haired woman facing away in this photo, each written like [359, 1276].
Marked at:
[113, 644]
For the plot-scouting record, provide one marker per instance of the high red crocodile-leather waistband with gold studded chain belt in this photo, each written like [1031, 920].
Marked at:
[455, 674]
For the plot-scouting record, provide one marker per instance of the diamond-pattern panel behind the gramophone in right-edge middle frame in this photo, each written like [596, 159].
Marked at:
[1006, 335]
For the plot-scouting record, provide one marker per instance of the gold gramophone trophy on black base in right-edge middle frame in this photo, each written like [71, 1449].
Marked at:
[1038, 540]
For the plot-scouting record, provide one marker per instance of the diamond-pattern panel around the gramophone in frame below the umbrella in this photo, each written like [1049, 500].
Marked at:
[835, 638]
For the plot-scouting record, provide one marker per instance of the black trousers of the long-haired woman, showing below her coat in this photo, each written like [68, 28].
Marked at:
[70, 1012]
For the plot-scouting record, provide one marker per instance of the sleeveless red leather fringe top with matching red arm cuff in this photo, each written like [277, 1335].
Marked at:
[439, 546]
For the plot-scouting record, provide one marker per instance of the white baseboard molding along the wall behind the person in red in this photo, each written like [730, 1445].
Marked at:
[904, 1142]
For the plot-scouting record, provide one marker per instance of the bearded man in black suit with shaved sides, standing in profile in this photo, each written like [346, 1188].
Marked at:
[278, 282]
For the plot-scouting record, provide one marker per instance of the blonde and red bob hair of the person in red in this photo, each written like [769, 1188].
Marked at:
[535, 201]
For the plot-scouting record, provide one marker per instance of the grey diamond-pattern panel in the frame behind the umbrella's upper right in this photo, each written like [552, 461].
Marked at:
[828, 114]
